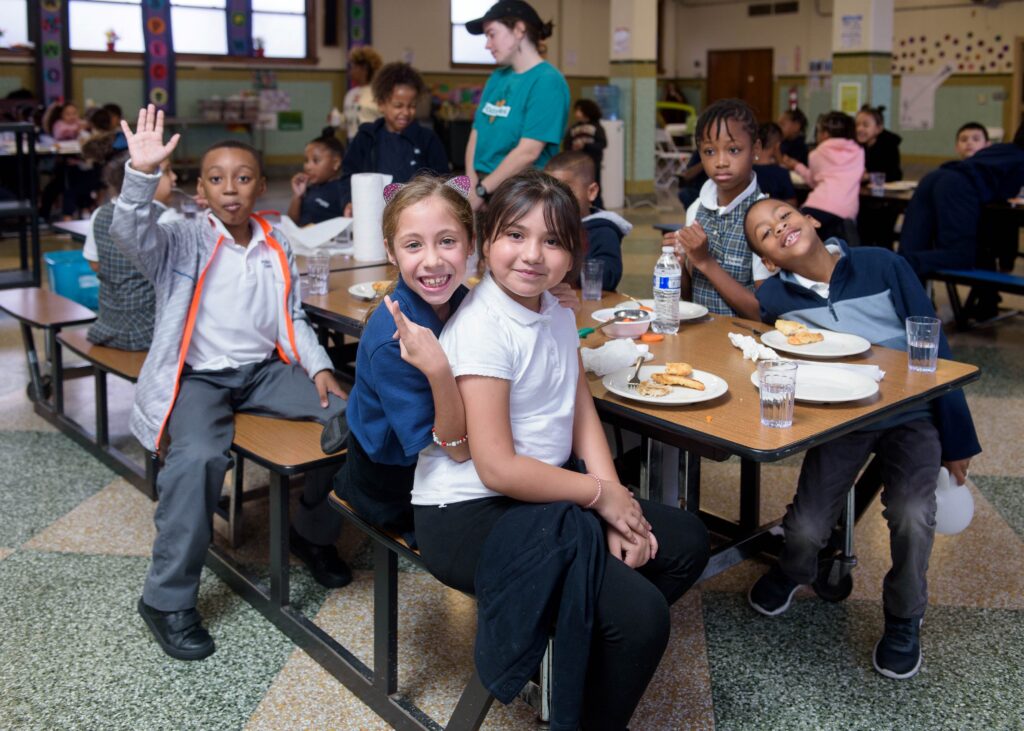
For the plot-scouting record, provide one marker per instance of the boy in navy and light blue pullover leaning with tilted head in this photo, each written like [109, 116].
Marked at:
[869, 292]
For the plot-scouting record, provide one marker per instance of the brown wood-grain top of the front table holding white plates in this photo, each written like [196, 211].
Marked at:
[732, 423]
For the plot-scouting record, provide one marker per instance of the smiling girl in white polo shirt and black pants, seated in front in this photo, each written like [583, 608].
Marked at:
[529, 410]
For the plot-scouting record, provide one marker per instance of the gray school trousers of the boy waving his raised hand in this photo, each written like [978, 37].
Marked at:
[201, 429]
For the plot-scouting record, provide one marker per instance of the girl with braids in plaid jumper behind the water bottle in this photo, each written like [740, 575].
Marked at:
[712, 248]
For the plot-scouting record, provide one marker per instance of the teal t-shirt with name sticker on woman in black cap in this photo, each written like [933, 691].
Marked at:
[533, 105]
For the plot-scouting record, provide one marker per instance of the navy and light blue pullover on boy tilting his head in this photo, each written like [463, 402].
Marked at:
[872, 293]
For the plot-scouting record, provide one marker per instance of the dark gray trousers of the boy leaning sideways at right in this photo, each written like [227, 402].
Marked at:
[911, 457]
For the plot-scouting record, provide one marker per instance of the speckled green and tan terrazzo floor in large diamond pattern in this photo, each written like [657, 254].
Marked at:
[75, 540]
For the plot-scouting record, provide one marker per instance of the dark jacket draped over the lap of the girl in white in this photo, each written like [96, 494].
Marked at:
[541, 567]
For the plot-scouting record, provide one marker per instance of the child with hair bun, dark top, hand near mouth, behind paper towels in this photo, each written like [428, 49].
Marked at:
[317, 192]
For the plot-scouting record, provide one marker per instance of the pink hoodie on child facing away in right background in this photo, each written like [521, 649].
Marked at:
[836, 168]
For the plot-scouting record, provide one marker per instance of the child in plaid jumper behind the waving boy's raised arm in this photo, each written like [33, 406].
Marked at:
[127, 303]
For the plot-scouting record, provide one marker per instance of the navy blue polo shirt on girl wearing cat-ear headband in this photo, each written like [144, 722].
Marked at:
[391, 409]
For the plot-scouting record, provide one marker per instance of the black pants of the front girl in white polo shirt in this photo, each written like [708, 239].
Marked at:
[631, 626]
